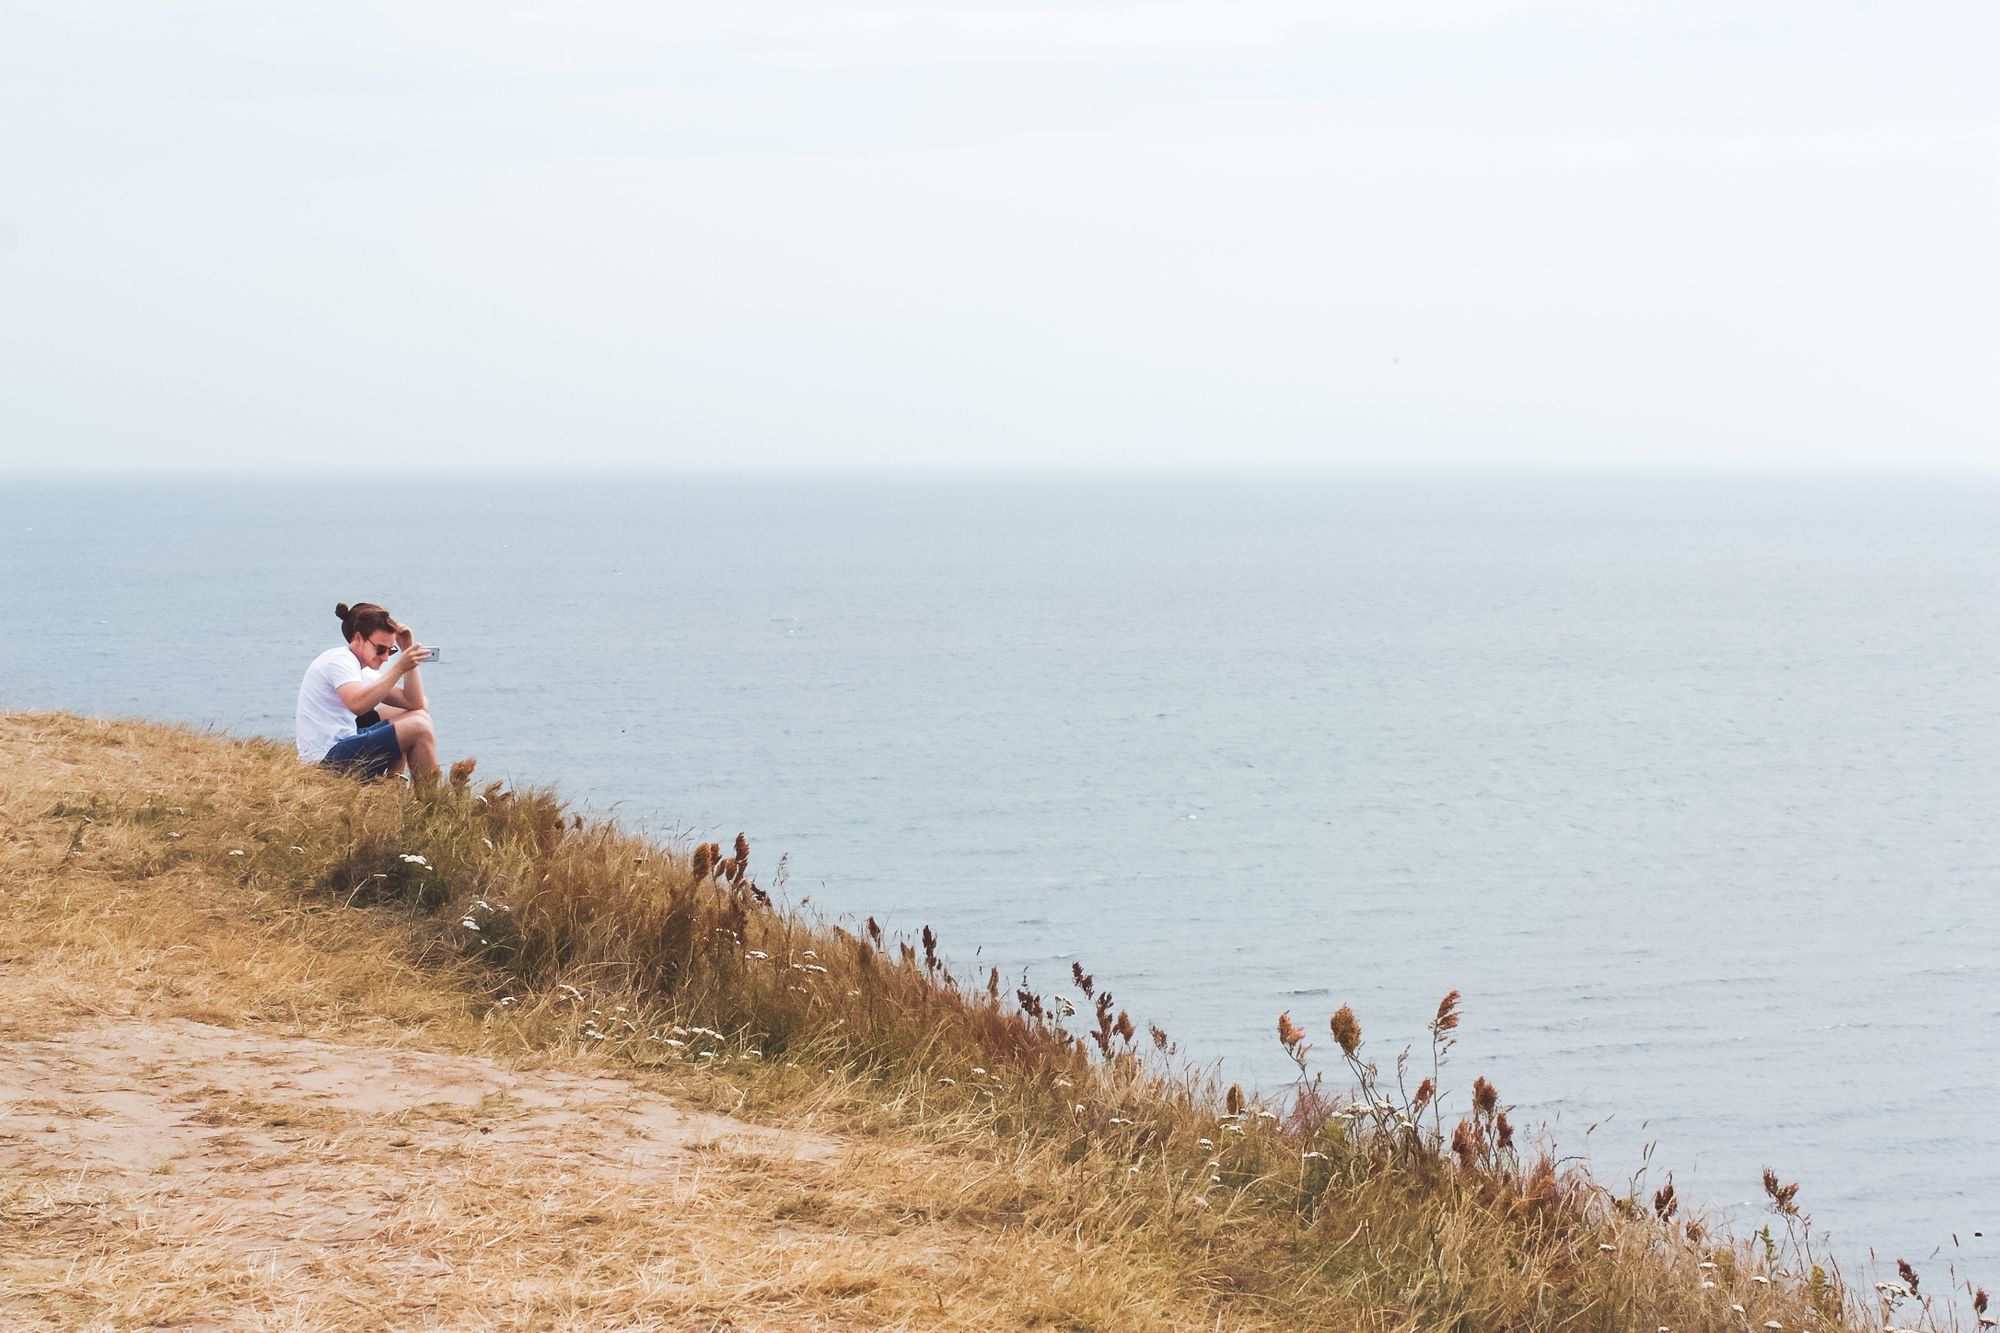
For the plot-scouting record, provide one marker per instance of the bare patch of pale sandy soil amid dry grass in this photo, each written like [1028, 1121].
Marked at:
[283, 1156]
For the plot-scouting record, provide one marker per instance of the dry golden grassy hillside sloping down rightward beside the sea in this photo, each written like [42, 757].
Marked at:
[991, 1162]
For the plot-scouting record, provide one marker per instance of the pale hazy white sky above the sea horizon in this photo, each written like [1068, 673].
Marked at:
[377, 235]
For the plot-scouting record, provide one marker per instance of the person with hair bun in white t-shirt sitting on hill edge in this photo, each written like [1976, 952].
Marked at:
[377, 668]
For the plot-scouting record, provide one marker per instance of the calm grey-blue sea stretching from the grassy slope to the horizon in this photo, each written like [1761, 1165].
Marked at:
[1689, 782]
